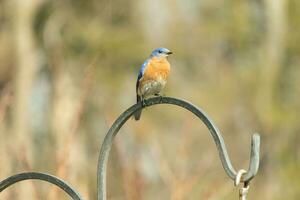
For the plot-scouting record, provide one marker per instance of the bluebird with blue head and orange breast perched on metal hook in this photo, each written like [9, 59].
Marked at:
[152, 76]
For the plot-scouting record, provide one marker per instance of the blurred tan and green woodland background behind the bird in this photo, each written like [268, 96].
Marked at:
[68, 69]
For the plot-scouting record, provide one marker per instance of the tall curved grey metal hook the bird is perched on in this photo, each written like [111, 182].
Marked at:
[225, 160]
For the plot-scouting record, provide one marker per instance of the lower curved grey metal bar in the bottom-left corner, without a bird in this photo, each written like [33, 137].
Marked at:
[40, 176]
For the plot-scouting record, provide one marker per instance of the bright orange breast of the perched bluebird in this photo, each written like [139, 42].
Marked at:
[157, 69]
